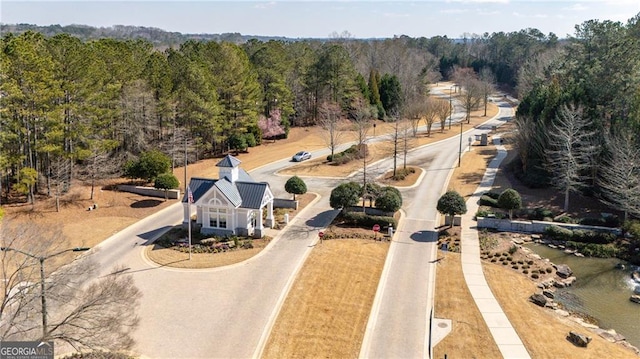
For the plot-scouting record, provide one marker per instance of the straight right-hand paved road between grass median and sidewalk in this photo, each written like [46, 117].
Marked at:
[399, 323]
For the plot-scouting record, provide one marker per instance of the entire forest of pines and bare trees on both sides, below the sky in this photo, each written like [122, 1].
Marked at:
[77, 109]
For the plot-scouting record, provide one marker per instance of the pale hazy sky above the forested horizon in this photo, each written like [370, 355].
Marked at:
[363, 19]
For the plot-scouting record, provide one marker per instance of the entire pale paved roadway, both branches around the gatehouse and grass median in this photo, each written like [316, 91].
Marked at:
[227, 312]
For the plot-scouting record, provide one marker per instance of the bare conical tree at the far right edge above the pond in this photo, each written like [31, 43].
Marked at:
[620, 175]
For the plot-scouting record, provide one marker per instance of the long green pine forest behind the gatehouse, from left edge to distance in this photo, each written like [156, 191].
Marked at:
[78, 110]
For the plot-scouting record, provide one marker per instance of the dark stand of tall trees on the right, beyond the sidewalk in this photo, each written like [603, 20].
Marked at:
[579, 119]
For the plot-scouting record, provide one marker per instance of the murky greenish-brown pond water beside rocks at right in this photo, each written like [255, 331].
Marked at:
[601, 290]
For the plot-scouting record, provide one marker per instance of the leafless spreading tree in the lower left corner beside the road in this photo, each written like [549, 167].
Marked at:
[98, 315]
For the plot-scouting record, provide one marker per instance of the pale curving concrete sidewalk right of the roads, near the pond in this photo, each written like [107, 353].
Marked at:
[503, 333]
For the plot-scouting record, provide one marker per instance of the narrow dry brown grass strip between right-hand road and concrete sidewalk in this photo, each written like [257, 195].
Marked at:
[470, 336]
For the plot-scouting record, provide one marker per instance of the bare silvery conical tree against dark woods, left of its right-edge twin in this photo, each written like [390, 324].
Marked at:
[570, 142]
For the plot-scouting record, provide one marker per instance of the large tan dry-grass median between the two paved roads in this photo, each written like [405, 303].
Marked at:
[326, 311]
